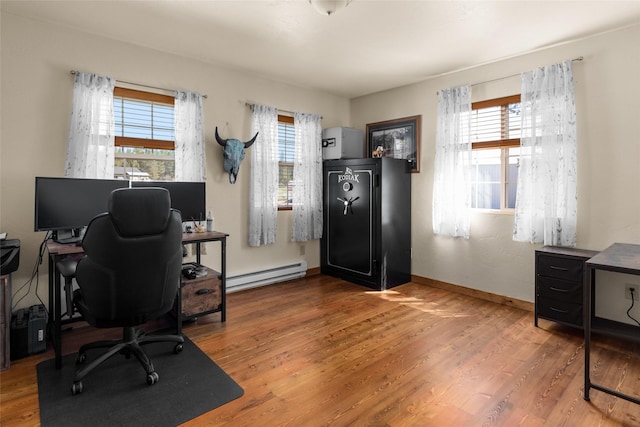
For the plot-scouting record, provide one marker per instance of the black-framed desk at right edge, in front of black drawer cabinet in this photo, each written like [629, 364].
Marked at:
[621, 258]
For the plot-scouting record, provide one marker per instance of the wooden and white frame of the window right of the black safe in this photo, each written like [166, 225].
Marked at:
[504, 143]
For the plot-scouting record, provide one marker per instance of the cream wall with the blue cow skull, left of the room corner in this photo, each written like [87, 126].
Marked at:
[36, 105]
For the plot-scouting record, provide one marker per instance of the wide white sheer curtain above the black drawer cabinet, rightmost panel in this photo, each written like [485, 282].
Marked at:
[546, 202]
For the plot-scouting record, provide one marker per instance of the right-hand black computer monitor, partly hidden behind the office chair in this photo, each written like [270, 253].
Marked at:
[187, 197]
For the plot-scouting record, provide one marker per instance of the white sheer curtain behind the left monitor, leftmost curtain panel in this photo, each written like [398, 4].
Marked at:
[90, 150]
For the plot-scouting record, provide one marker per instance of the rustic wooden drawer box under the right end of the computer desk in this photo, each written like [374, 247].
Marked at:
[201, 295]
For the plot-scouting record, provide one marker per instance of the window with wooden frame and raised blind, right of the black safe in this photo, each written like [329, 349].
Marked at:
[495, 137]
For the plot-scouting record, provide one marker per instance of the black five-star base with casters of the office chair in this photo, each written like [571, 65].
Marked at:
[131, 342]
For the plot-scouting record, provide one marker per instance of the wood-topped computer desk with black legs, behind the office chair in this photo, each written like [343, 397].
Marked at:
[58, 251]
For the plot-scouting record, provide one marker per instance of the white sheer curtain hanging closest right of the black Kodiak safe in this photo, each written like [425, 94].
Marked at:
[451, 182]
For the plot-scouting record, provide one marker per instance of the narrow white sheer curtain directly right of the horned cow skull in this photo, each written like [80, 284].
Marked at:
[263, 193]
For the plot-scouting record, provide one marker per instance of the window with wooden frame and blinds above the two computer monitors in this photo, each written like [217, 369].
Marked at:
[144, 135]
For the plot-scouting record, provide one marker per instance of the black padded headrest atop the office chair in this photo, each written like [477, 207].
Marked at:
[140, 211]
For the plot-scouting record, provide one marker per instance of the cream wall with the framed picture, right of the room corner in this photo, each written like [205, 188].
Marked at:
[607, 91]
